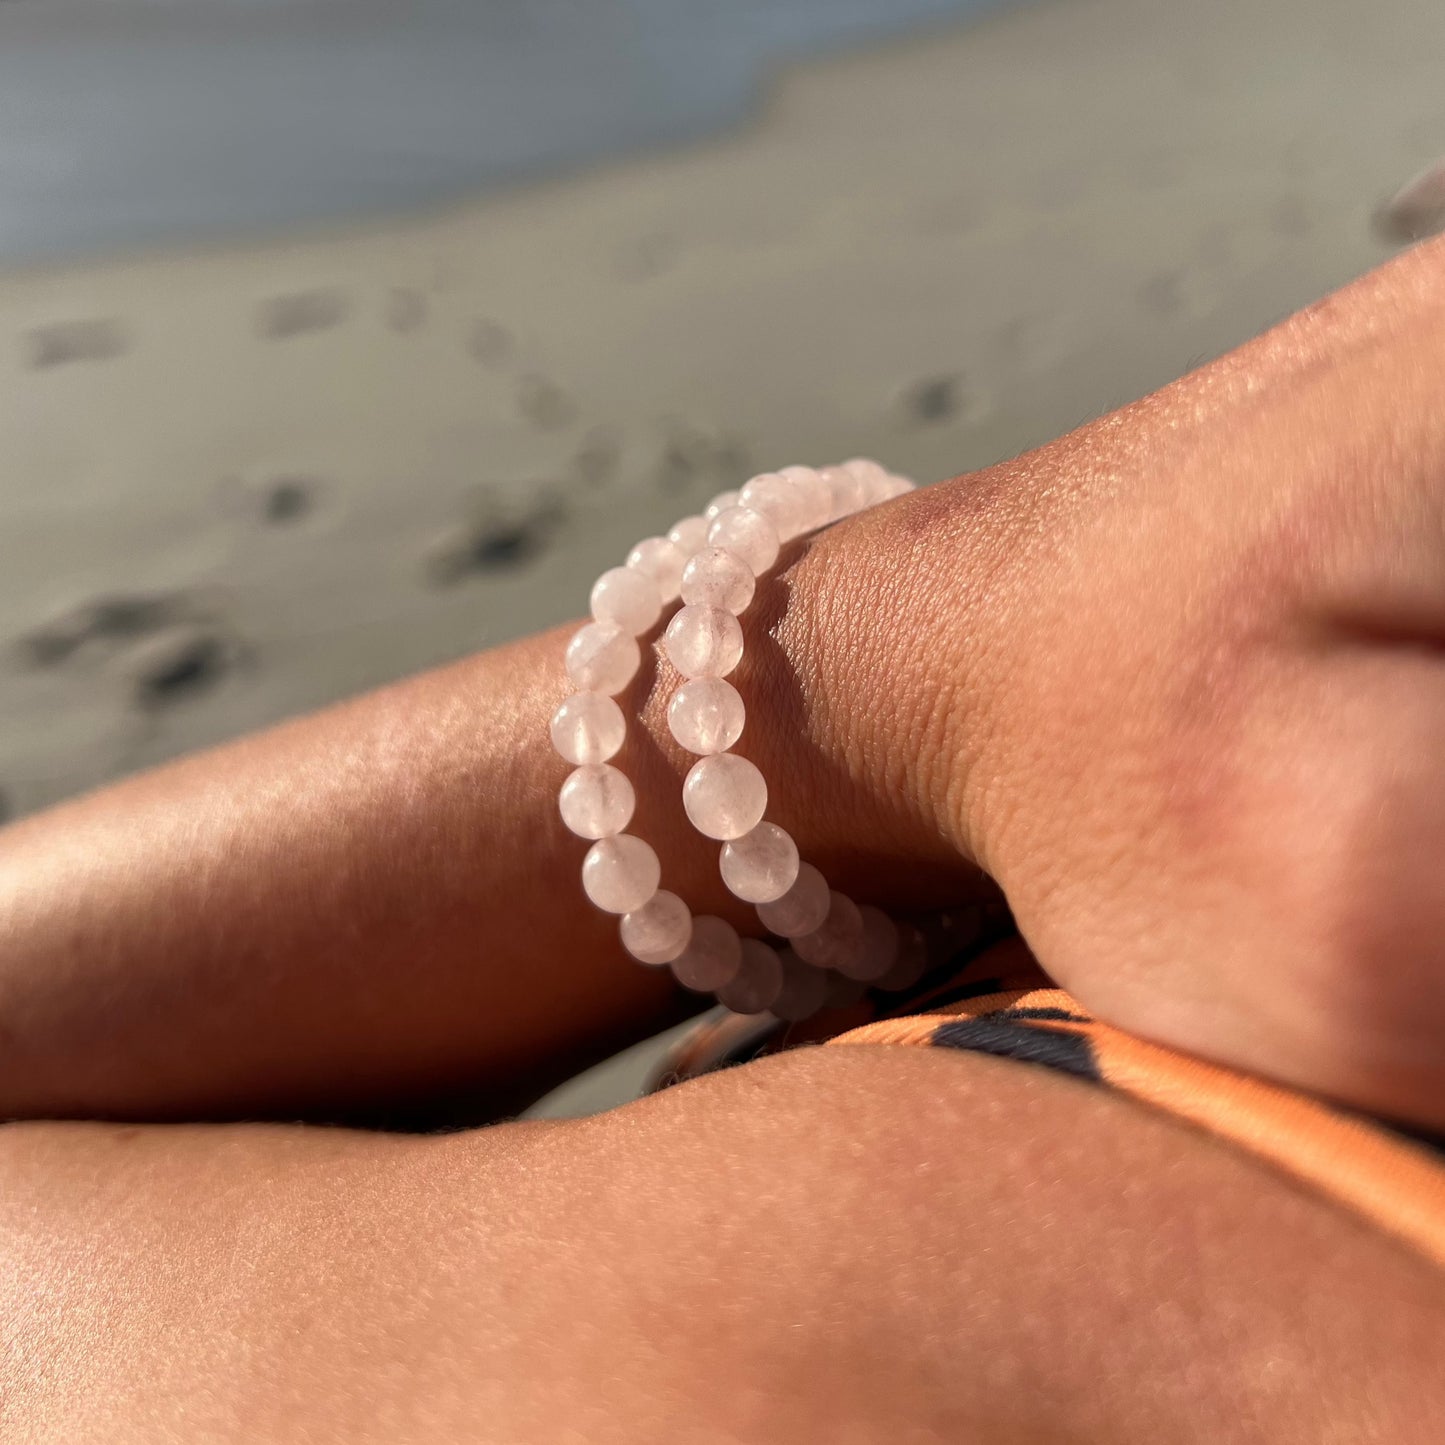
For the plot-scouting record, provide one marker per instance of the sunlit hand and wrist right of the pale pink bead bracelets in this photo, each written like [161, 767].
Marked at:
[1177, 684]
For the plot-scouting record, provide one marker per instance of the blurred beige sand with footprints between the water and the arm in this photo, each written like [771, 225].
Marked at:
[245, 480]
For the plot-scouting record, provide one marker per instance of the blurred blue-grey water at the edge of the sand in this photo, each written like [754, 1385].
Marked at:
[131, 122]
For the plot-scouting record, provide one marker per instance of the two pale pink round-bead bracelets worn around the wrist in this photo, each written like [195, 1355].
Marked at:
[713, 561]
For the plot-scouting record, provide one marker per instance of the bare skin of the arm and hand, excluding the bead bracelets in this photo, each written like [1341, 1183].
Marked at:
[1174, 681]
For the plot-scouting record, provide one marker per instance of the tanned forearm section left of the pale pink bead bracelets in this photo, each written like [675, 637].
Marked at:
[375, 902]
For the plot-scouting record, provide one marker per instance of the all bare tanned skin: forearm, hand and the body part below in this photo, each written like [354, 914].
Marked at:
[1174, 683]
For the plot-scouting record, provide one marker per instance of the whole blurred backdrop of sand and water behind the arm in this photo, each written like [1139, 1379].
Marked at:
[343, 337]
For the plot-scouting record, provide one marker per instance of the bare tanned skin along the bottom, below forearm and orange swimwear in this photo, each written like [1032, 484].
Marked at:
[765, 1255]
